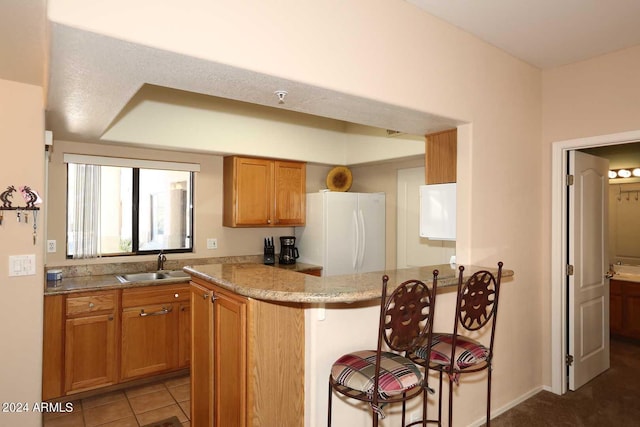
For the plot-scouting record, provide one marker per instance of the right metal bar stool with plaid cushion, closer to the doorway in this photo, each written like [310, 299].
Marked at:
[455, 354]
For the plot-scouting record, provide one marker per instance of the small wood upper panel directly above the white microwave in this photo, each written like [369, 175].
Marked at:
[441, 157]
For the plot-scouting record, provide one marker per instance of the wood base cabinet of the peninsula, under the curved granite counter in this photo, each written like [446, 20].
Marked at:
[247, 361]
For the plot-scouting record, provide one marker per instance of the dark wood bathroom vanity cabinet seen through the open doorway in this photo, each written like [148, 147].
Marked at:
[624, 308]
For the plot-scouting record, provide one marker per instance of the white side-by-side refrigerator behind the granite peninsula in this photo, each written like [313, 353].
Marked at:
[344, 232]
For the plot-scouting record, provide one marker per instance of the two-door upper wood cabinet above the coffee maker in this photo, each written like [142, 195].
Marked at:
[263, 192]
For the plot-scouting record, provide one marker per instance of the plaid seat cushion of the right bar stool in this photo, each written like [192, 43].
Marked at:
[468, 352]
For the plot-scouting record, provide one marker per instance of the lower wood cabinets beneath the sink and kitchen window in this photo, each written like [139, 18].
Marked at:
[101, 338]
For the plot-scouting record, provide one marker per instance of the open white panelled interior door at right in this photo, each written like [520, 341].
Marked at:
[588, 286]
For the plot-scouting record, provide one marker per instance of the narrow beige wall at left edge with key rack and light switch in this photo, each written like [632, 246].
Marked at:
[22, 142]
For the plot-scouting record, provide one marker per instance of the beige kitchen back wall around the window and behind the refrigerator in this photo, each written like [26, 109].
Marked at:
[208, 200]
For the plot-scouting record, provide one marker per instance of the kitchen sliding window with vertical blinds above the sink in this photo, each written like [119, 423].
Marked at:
[128, 207]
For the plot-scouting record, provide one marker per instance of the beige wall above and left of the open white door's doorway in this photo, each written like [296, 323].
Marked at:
[588, 98]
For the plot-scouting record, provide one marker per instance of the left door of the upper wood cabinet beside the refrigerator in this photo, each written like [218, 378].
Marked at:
[252, 191]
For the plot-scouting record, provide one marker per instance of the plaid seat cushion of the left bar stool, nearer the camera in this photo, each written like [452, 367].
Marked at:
[357, 370]
